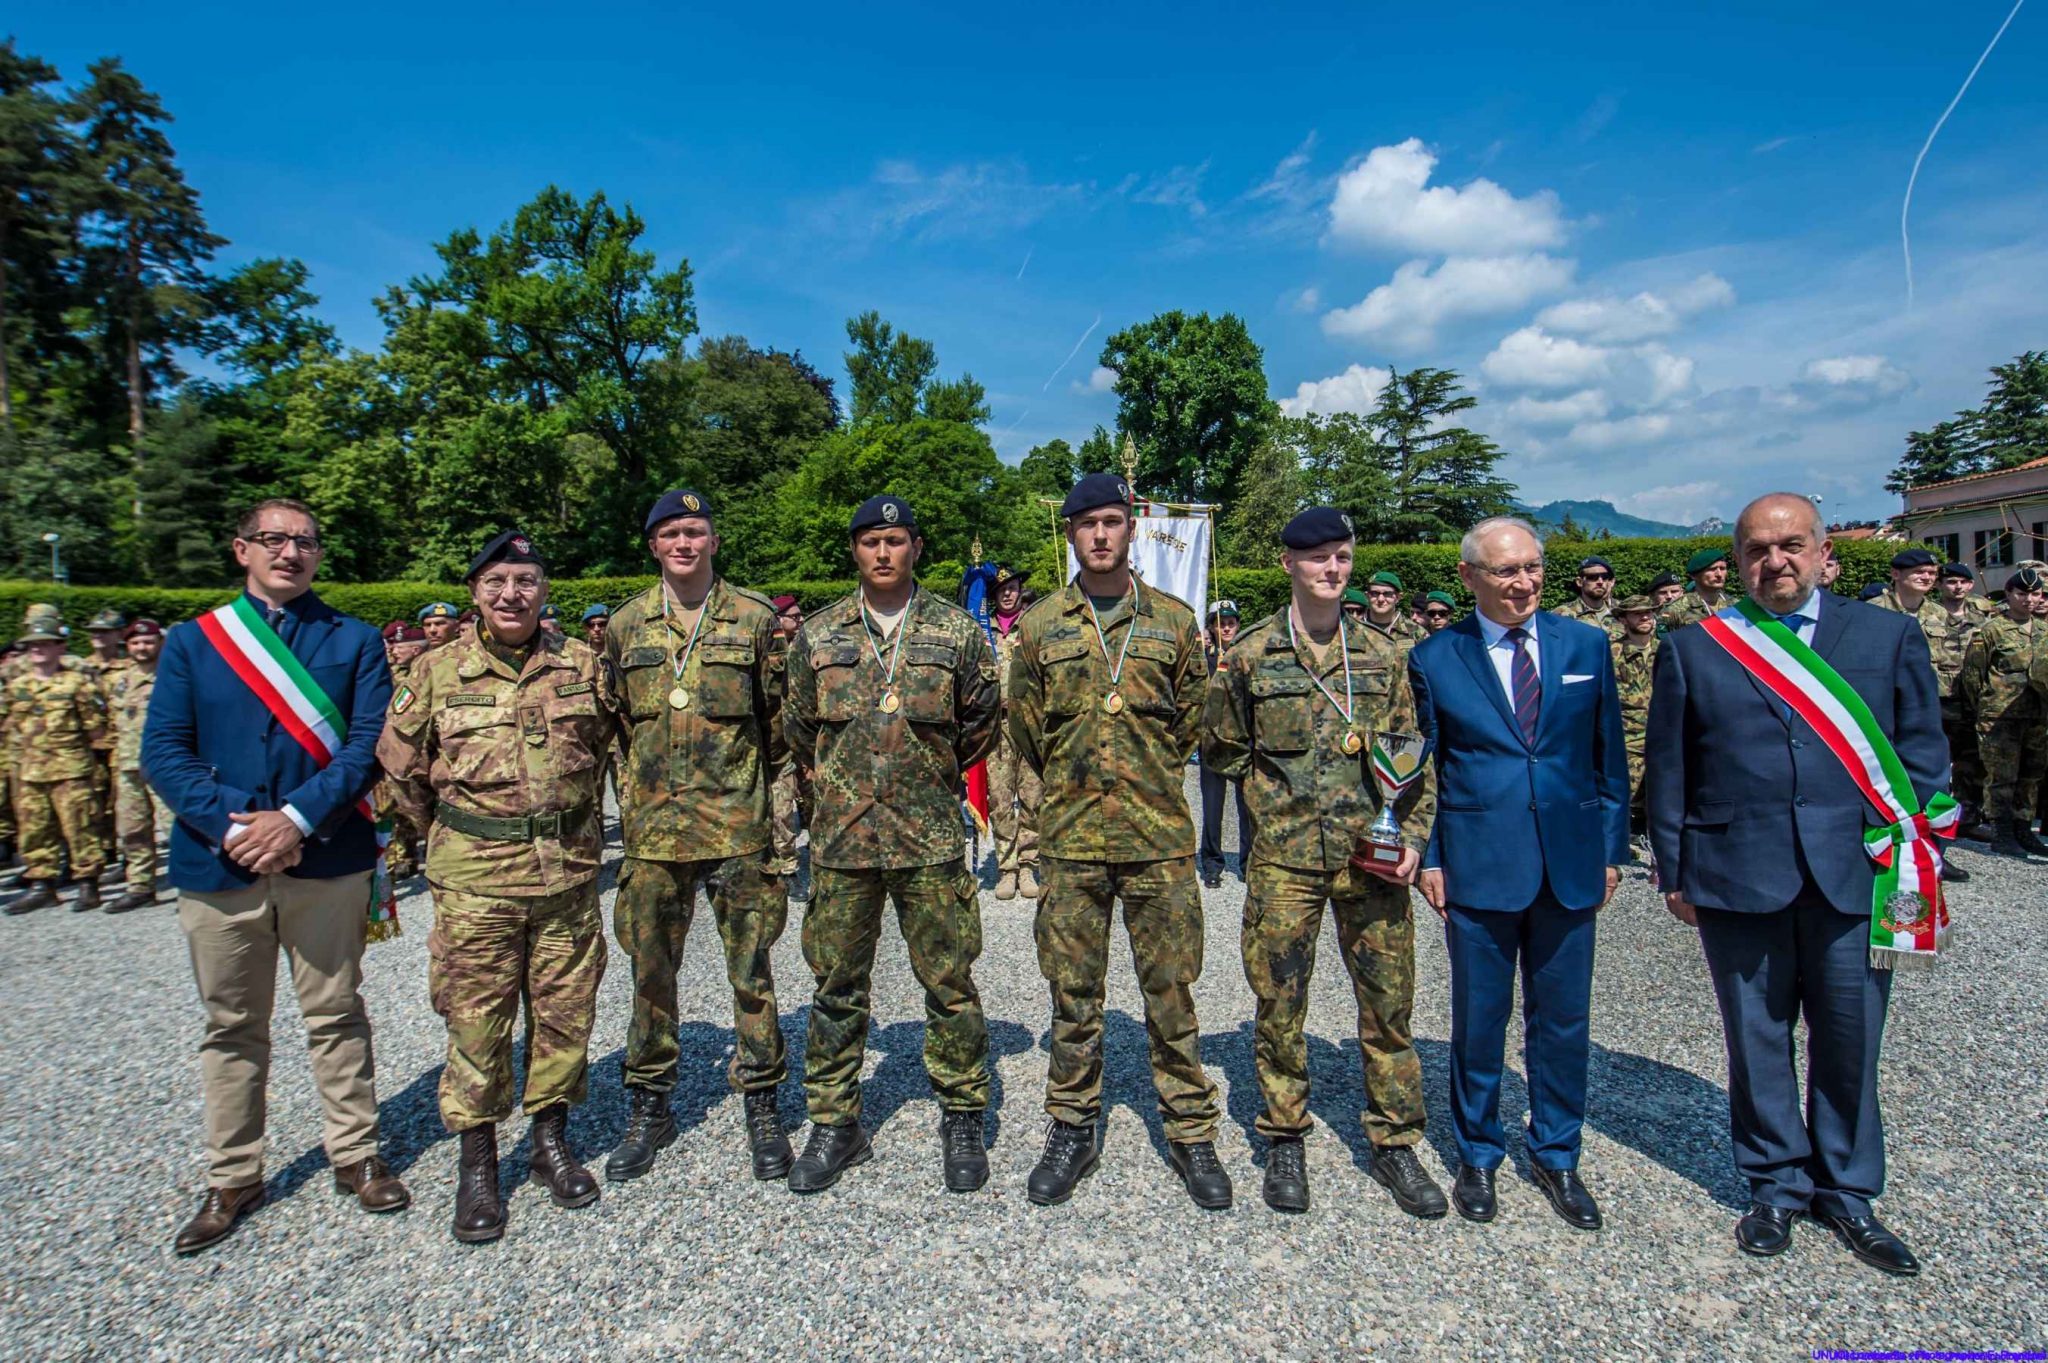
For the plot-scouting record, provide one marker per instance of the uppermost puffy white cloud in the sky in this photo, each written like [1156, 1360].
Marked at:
[1388, 202]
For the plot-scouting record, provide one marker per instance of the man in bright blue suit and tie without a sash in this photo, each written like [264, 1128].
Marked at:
[1531, 834]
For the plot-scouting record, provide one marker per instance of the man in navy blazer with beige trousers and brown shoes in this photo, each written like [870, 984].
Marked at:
[269, 852]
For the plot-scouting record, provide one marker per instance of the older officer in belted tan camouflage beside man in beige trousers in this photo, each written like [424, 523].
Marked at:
[495, 750]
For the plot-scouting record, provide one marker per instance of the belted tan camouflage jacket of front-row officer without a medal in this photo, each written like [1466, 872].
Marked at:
[476, 736]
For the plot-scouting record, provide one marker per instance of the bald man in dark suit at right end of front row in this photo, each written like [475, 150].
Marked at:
[1760, 844]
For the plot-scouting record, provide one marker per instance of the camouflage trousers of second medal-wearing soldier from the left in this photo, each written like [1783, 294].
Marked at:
[939, 912]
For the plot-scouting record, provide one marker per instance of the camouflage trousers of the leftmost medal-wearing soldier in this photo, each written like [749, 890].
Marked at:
[652, 922]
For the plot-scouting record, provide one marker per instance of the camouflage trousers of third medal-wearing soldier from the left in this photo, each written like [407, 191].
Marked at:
[1164, 920]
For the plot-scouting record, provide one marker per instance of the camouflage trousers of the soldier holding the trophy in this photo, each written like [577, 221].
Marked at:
[1377, 938]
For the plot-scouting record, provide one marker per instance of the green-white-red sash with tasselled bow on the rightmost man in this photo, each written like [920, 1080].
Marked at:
[1908, 914]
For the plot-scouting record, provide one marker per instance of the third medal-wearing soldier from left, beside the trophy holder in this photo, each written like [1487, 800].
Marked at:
[1107, 707]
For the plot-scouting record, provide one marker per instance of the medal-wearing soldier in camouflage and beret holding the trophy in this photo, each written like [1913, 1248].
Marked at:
[1293, 715]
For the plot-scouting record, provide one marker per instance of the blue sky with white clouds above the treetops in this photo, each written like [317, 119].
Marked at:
[1662, 243]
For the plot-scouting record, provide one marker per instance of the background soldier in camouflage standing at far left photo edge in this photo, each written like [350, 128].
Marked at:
[54, 721]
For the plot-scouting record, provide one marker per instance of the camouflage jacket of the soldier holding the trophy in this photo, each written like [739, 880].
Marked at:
[1269, 726]
